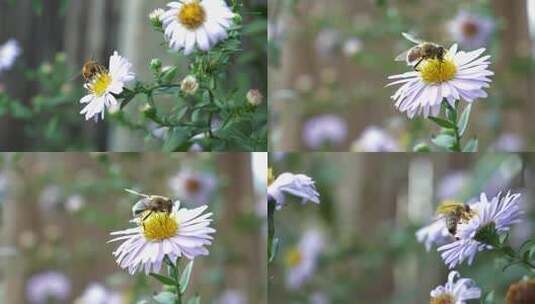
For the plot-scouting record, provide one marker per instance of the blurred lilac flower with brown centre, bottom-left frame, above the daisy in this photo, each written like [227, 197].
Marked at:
[193, 187]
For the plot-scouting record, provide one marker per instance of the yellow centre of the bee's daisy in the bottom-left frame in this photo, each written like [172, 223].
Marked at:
[159, 226]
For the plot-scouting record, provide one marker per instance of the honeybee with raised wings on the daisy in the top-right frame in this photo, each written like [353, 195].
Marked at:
[422, 51]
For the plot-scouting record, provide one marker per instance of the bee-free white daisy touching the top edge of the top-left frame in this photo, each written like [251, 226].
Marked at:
[196, 24]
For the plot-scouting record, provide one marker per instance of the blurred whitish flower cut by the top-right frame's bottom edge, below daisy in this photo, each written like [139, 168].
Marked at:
[374, 139]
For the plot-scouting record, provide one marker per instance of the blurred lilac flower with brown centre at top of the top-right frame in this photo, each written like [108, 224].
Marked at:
[470, 30]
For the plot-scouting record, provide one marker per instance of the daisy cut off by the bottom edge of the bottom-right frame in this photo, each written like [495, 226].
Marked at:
[455, 291]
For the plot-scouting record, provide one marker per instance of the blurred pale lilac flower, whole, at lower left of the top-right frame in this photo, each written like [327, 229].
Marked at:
[327, 129]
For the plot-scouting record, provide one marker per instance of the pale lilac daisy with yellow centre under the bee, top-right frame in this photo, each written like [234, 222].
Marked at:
[461, 75]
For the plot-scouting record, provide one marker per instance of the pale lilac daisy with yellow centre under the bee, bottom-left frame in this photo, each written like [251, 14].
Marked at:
[182, 233]
